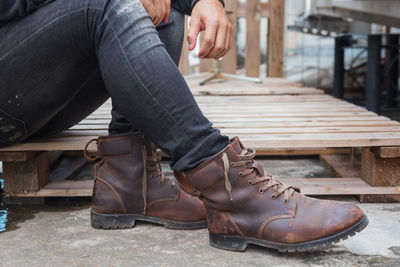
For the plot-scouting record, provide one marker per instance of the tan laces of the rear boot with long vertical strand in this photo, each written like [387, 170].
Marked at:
[155, 169]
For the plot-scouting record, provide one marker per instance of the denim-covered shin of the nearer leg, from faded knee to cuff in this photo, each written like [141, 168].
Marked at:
[148, 89]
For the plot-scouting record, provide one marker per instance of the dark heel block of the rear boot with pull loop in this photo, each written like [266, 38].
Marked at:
[111, 221]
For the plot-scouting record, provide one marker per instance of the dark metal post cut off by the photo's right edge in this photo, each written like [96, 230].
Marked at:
[392, 84]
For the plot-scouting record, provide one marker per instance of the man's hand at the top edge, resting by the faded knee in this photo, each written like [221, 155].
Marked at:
[158, 10]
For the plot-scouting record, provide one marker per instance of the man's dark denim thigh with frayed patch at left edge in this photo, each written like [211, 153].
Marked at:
[50, 78]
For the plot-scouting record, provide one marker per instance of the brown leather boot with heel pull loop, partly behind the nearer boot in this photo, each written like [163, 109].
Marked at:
[129, 186]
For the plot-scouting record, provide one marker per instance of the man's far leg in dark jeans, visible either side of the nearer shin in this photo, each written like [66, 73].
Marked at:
[171, 35]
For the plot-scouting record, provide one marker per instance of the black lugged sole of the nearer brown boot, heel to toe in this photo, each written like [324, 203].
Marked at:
[240, 243]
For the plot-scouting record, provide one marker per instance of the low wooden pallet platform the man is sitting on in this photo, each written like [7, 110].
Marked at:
[276, 118]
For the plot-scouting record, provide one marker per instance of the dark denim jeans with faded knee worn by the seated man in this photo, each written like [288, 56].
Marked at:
[62, 62]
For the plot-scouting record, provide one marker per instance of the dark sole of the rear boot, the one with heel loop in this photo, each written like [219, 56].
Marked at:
[127, 221]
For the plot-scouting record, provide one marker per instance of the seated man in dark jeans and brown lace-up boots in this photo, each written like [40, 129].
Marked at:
[60, 60]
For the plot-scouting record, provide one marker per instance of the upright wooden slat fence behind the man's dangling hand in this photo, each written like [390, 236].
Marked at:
[252, 10]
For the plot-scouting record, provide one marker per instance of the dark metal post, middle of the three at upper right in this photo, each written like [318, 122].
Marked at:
[374, 73]
